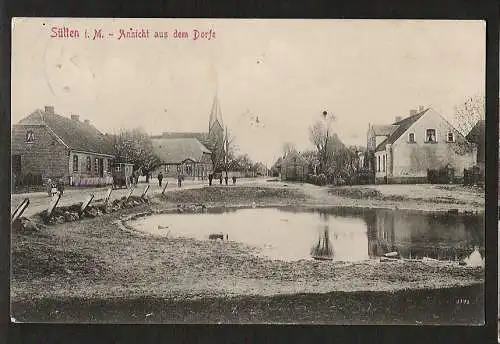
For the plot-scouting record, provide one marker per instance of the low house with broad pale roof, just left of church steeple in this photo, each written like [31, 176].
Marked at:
[185, 157]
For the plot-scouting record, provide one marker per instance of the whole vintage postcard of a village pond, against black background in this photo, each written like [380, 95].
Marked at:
[248, 171]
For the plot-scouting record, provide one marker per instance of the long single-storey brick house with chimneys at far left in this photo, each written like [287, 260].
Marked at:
[47, 145]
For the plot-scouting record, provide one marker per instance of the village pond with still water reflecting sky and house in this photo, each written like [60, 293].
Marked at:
[352, 234]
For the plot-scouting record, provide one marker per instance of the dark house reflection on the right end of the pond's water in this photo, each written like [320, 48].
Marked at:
[417, 235]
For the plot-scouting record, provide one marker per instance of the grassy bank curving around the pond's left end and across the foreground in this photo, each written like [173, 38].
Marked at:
[92, 261]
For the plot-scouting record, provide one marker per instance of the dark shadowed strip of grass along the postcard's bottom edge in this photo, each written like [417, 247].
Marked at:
[403, 307]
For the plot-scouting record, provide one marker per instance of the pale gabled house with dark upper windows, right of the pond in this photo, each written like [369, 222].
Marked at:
[404, 151]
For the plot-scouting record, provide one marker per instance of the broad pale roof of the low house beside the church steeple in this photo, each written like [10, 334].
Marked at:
[177, 150]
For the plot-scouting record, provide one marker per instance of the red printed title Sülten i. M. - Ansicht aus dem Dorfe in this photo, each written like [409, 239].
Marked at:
[63, 32]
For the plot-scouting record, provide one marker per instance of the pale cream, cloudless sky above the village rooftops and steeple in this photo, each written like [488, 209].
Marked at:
[285, 72]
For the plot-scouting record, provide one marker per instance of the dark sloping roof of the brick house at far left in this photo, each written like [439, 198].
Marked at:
[76, 135]
